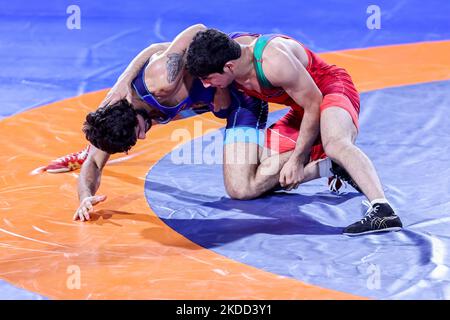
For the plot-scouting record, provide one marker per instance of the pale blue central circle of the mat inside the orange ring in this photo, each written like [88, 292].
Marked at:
[406, 133]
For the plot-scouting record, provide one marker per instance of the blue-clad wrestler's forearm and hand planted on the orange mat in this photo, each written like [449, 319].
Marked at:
[89, 182]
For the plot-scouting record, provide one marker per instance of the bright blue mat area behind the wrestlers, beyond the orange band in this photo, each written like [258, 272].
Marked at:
[43, 61]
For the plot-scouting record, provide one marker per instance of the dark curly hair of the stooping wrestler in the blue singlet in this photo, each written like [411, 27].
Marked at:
[112, 128]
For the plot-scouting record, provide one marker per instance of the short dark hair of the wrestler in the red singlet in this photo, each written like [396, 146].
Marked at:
[209, 51]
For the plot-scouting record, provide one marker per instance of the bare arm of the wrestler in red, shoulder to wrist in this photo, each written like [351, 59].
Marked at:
[286, 71]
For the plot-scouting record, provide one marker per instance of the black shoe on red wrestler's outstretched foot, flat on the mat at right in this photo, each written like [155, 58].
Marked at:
[379, 218]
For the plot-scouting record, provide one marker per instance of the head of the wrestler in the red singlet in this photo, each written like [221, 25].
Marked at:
[210, 57]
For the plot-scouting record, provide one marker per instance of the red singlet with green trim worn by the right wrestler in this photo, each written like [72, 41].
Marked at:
[334, 83]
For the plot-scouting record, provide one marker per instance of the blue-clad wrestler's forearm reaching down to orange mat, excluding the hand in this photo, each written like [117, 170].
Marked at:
[91, 171]
